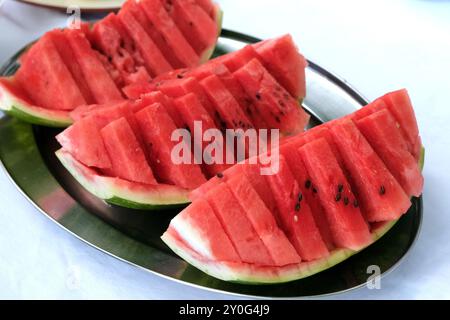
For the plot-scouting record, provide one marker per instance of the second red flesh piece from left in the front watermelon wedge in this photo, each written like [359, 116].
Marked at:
[237, 226]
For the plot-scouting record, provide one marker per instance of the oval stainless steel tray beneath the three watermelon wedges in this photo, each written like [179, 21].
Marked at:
[27, 154]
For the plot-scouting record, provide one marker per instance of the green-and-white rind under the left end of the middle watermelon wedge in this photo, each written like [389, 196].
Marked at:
[124, 193]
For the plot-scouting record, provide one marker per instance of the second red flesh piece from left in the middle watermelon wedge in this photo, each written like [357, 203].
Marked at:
[127, 157]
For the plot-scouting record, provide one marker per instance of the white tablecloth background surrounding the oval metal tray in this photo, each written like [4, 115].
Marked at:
[377, 46]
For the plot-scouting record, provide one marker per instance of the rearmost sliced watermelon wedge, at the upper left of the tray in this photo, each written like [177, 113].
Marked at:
[66, 69]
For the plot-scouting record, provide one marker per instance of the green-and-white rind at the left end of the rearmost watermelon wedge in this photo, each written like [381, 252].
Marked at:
[16, 107]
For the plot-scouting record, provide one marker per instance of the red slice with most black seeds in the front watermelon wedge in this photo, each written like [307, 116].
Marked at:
[329, 185]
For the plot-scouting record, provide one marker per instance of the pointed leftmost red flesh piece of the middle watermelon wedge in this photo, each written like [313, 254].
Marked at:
[83, 141]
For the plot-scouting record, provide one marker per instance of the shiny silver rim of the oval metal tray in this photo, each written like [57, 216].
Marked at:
[343, 84]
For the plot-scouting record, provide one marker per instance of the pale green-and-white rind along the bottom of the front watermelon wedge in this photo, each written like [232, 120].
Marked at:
[246, 274]
